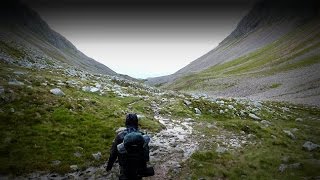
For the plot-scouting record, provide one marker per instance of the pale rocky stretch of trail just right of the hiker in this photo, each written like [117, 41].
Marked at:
[171, 146]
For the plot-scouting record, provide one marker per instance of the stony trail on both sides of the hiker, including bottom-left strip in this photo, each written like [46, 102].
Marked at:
[168, 148]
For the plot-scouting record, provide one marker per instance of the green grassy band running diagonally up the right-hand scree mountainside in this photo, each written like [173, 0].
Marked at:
[271, 59]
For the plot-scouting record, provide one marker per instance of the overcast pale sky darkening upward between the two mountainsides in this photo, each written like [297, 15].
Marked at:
[139, 38]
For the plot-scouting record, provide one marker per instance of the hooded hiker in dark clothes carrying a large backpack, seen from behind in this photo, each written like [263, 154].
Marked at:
[131, 148]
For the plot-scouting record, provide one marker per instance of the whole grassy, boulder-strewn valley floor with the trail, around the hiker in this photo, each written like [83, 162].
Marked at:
[53, 136]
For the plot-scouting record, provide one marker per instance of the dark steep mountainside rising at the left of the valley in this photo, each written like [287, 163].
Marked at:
[27, 40]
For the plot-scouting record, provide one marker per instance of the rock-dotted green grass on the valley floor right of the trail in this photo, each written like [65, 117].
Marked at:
[261, 157]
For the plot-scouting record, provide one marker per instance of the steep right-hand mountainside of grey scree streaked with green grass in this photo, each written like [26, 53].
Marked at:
[272, 54]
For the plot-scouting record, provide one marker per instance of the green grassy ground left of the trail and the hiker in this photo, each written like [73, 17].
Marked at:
[44, 127]
